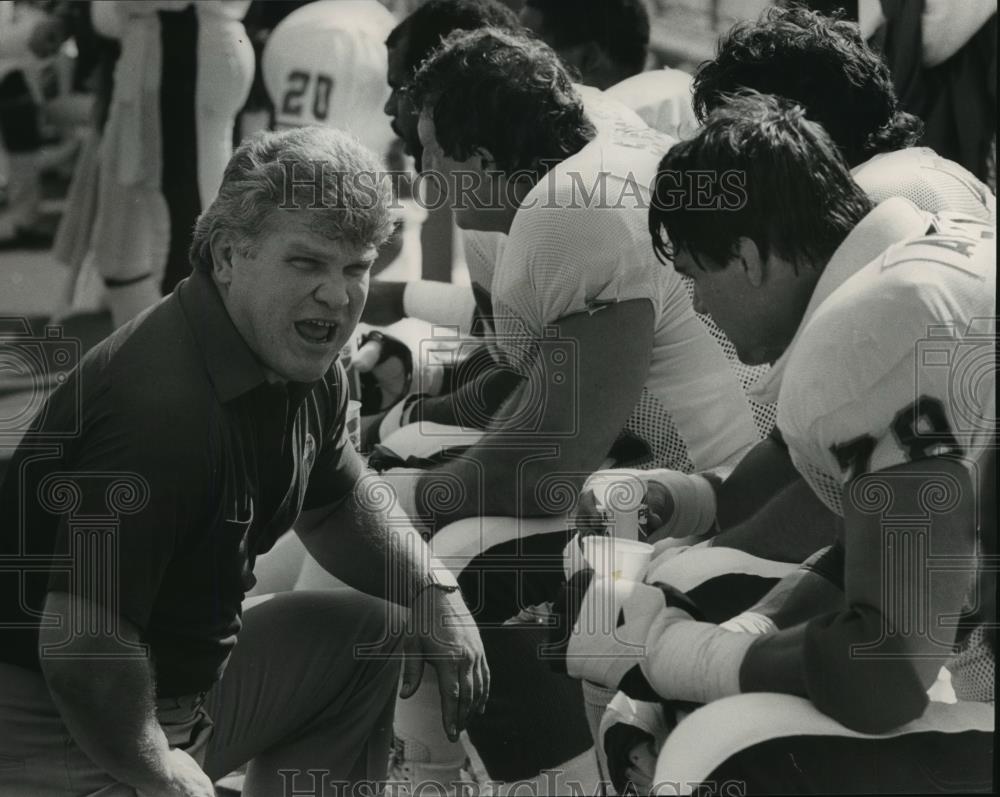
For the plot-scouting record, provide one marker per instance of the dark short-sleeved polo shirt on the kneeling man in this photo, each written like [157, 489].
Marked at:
[155, 475]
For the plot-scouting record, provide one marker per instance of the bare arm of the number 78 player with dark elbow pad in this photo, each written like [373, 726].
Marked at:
[873, 611]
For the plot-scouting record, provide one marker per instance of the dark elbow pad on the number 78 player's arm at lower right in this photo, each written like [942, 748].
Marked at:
[871, 693]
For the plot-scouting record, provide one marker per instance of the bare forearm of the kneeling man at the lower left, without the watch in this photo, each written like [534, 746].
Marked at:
[106, 702]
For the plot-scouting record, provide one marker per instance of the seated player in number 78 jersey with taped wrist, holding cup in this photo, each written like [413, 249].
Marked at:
[878, 320]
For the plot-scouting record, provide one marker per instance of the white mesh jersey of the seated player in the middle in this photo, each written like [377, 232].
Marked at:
[579, 243]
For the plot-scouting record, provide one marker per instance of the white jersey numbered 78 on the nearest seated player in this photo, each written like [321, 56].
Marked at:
[895, 360]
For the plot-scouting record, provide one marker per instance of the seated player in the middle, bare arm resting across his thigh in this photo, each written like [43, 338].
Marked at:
[610, 360]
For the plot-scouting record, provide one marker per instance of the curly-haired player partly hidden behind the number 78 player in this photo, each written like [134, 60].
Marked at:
[824, 65]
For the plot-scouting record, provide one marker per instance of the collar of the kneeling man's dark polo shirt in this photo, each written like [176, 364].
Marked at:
[232, 367]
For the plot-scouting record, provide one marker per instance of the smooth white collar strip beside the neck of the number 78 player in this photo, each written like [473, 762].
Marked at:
[892, 221]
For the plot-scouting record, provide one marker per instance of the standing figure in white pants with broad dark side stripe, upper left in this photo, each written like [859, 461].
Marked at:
[183, 75]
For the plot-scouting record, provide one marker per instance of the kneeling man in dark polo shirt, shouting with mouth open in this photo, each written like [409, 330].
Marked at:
[177, 453]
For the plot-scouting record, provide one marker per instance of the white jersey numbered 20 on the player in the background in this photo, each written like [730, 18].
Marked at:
[325, 64]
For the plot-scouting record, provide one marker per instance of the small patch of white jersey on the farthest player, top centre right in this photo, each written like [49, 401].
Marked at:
[662, 98]
